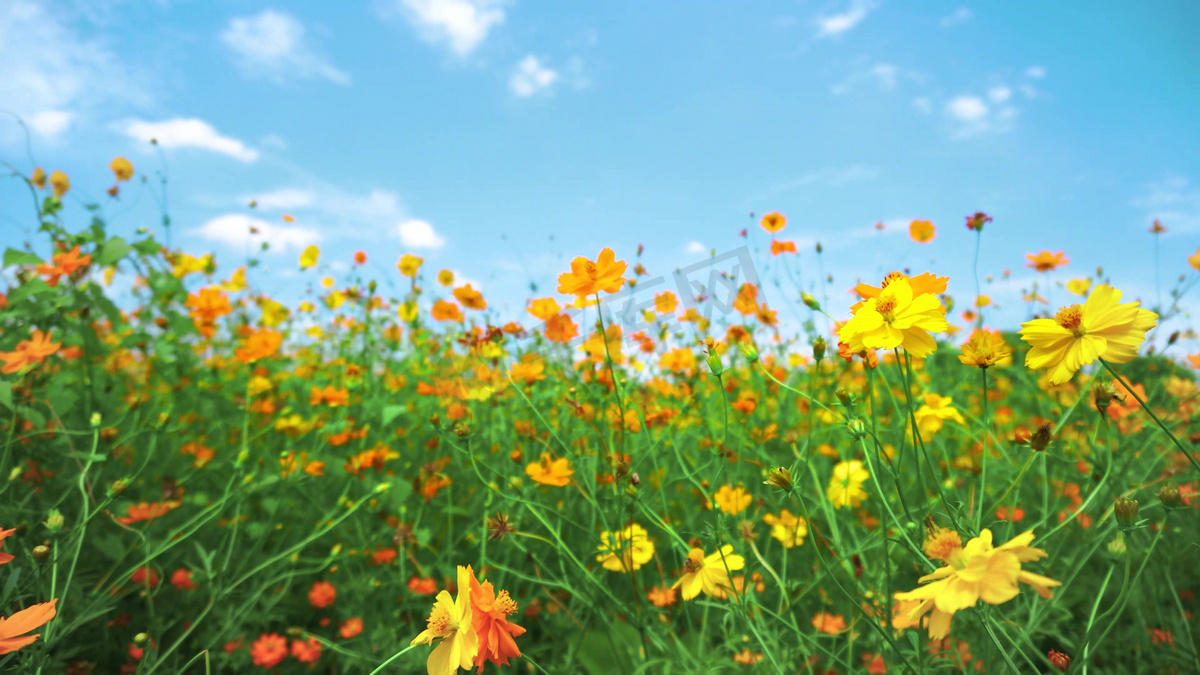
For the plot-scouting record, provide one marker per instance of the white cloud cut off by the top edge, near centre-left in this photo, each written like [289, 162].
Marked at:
[460, 25]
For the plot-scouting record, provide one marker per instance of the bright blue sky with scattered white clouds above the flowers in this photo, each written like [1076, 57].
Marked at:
[440, 127]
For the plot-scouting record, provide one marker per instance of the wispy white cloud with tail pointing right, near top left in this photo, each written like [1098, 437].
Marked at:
[274, 46]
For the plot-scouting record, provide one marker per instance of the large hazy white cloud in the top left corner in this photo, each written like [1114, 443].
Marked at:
[55, 76]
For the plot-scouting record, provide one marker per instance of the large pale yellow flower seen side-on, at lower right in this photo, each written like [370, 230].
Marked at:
[977, 572]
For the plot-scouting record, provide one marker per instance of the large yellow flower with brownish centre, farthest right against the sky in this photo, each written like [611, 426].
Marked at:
[1078, 336]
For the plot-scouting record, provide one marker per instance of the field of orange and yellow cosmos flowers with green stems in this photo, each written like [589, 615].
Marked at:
[386, 479]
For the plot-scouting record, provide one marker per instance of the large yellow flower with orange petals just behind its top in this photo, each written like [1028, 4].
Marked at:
[896, 319]
